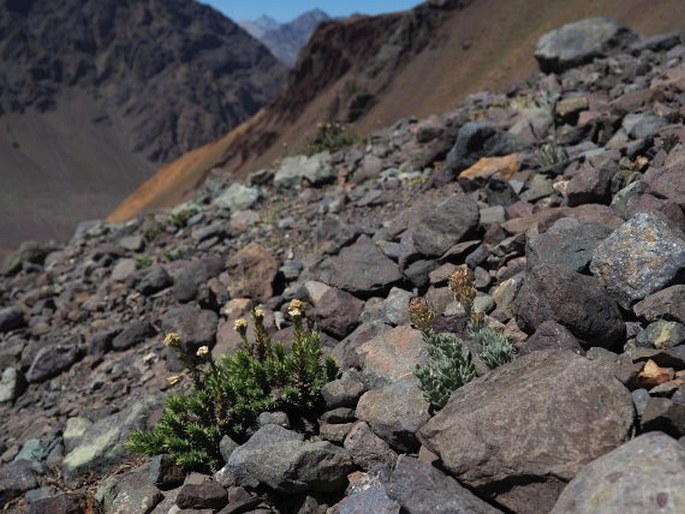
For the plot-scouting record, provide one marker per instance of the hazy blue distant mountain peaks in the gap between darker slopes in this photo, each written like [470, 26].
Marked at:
[285, 40]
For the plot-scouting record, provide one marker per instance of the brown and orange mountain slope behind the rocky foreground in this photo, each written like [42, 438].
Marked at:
[374, 71]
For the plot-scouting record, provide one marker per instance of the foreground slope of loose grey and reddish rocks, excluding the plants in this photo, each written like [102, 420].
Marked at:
[565, 198]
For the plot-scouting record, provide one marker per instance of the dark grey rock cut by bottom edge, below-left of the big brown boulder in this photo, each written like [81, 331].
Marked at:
[419, 487]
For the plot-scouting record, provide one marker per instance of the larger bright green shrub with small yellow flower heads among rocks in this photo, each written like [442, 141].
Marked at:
[230, 393]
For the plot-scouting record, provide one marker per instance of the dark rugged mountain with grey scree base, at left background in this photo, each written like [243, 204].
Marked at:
[95, 94]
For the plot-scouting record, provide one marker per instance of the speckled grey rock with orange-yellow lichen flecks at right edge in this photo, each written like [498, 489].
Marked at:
[643, 256]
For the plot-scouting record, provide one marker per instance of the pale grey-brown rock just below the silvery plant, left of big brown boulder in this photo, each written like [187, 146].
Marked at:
[395, 412]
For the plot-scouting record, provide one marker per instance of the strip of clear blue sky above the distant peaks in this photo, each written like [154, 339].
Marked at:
[282, 10]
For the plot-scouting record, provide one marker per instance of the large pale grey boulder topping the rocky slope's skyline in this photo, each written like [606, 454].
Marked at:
[578, 43]
